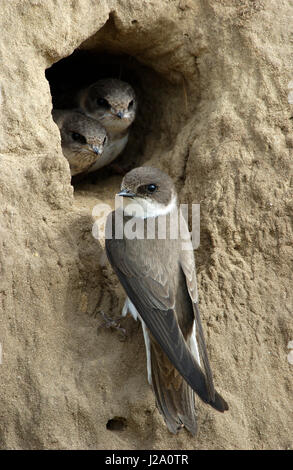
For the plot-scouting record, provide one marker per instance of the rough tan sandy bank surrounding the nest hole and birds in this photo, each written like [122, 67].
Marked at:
[213, 80]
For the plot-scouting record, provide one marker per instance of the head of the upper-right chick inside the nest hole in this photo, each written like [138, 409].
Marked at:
[112, 102]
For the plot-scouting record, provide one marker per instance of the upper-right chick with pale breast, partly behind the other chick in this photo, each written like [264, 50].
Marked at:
[112, 102]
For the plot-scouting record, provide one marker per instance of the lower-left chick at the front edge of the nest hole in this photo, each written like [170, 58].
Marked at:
[83, 139]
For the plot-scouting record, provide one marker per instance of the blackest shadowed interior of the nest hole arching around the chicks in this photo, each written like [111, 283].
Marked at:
[84, 67]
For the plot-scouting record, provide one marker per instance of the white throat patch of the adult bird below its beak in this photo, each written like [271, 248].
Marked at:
[144, 207]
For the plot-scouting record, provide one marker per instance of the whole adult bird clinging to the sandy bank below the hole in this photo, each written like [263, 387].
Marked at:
[159, 278]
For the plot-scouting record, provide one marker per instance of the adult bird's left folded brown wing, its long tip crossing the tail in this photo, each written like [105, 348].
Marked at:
[148, 290]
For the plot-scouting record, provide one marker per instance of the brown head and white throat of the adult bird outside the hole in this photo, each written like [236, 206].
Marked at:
[149, 188]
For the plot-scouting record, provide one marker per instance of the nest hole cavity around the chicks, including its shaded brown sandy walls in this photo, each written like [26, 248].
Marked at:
[159, 101]
